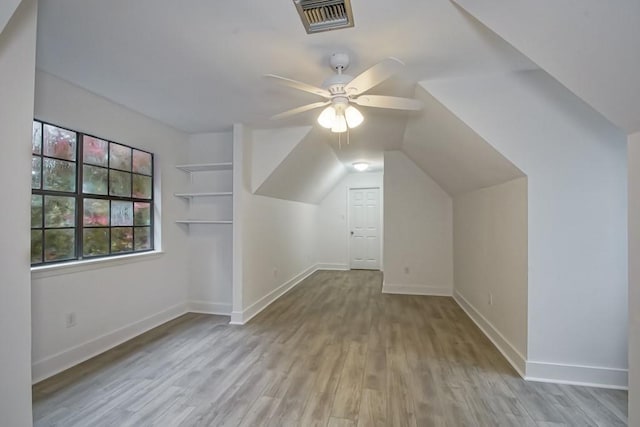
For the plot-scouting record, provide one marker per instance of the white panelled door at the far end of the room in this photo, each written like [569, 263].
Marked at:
[364, 228]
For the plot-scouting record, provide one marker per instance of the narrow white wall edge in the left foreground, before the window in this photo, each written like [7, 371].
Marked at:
[17, 68]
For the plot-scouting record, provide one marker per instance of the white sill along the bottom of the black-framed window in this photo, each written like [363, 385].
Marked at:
[71, 267]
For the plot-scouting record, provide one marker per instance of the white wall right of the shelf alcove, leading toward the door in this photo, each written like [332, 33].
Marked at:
[278, 238]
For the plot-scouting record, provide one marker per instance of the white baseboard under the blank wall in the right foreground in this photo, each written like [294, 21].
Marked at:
[590, 376]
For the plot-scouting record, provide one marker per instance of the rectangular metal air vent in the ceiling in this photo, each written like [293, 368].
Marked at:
[324, 15]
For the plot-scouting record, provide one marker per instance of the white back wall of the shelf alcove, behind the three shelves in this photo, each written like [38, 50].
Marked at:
[210, 246]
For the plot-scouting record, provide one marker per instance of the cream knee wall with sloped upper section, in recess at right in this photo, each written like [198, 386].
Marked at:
[489, 210]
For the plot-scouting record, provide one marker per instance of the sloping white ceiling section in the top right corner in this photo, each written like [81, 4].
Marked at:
[590, 46]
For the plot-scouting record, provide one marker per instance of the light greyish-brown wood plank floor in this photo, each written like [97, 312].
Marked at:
[332, 352]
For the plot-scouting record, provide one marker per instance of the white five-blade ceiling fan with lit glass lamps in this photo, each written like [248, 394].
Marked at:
[342, 90]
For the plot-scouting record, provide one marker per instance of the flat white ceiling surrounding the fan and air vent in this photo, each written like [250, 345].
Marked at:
[197, 65]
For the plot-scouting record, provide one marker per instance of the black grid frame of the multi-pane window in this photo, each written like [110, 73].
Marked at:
[79, 199]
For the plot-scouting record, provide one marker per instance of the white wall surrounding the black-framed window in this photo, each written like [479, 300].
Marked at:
[112, 301]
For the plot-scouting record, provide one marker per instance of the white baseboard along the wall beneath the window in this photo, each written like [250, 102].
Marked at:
[66, 359]
